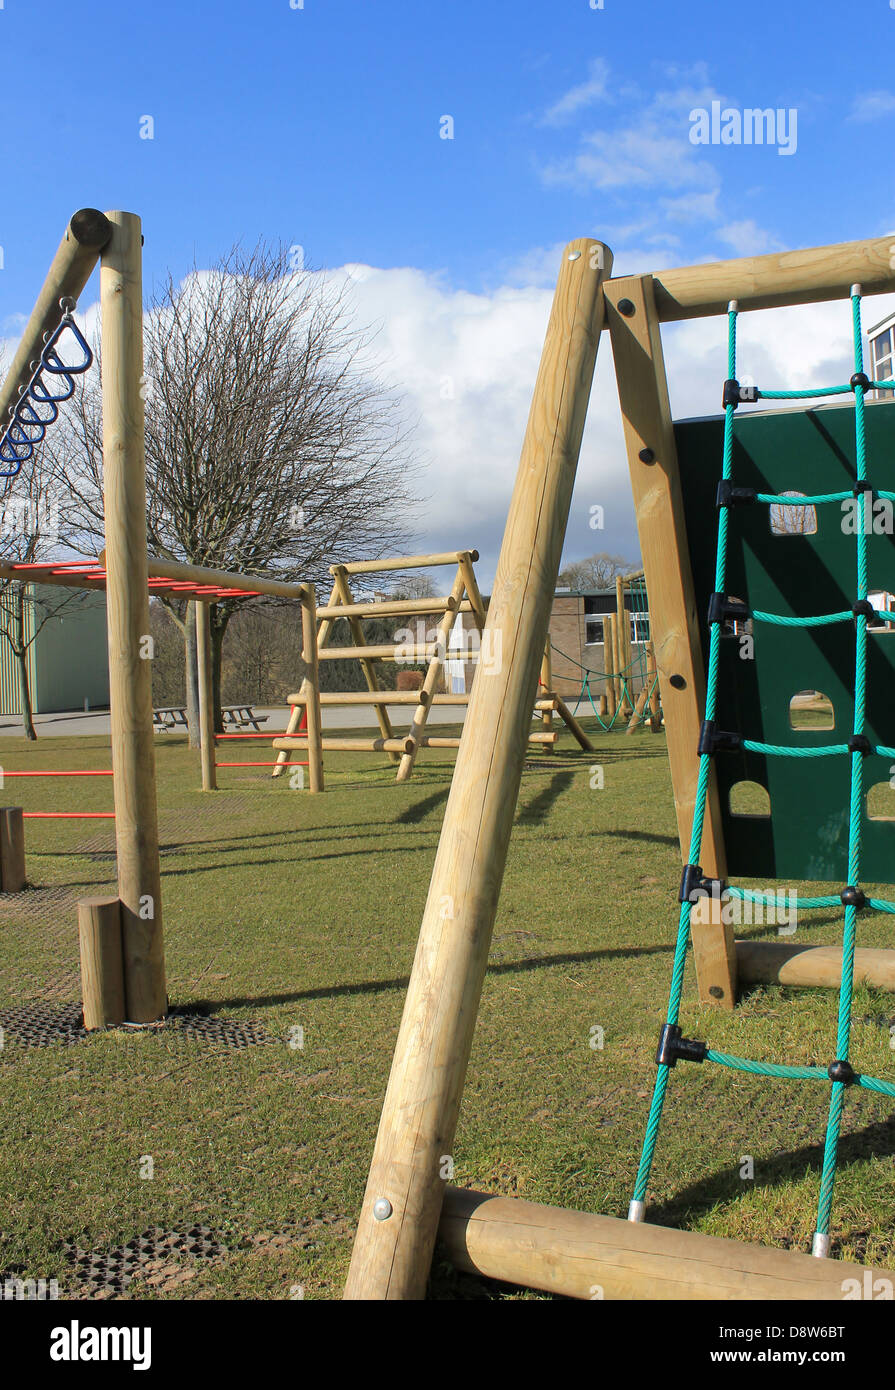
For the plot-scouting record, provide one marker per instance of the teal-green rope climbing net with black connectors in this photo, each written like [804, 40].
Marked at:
[840, 1068]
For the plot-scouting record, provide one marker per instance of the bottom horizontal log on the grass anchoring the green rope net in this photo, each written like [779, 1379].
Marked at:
[582, 1256]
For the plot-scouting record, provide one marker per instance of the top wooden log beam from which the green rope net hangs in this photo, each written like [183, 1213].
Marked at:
[803, 277]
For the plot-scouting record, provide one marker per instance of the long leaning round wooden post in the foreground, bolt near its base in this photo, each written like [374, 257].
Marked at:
[398, 1223]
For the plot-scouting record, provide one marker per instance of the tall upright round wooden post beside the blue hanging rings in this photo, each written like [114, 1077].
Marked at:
[130, 650]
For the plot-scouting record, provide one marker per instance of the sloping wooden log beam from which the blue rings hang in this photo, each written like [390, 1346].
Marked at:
[73, 266]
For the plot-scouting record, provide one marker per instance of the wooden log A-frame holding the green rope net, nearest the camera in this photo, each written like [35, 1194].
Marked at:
[407, 1196]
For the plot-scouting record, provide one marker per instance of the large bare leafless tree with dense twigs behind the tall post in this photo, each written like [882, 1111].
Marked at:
[272, 447]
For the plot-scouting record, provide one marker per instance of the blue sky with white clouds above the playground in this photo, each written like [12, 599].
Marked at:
[320, 126]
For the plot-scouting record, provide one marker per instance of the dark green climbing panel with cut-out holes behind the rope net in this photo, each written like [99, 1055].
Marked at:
[805, 837]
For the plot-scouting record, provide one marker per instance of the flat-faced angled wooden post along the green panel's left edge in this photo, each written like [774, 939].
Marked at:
[655, 479]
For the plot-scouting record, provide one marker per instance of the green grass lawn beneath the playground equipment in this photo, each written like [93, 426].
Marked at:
[290, 914]
